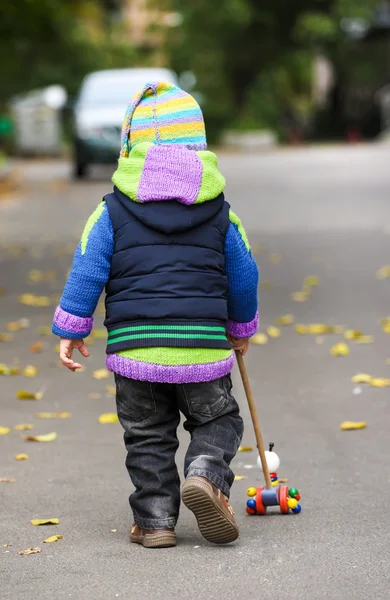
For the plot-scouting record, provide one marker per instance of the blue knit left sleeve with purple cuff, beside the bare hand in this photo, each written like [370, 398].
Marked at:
[87, 278]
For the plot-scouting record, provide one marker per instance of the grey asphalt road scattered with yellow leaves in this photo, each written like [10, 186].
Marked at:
[324, 212]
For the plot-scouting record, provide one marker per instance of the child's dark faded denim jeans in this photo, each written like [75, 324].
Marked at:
[150, 415]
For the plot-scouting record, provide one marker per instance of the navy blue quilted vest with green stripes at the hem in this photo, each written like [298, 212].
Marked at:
[167, 285]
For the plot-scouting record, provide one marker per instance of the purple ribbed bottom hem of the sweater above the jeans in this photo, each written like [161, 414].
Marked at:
[134, 369]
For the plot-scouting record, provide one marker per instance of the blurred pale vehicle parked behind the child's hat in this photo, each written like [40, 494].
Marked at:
[99, 110]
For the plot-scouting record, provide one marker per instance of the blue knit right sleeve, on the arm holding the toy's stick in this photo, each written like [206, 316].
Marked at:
[243, 279]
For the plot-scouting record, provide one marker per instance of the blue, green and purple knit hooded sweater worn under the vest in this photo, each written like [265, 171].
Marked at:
[136, 178]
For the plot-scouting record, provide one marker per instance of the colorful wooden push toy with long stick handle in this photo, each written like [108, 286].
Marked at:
[272, 494]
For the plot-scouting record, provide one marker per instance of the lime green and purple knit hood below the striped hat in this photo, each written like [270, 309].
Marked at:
[169, 172]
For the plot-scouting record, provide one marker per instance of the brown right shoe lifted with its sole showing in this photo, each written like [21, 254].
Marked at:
[212, 510]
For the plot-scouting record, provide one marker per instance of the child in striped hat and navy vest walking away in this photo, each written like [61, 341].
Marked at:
[181, 294]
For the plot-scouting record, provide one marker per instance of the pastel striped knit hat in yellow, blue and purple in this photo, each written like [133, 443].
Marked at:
[162, 113]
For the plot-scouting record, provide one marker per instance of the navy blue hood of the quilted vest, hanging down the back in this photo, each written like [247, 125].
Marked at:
[170, 216]
